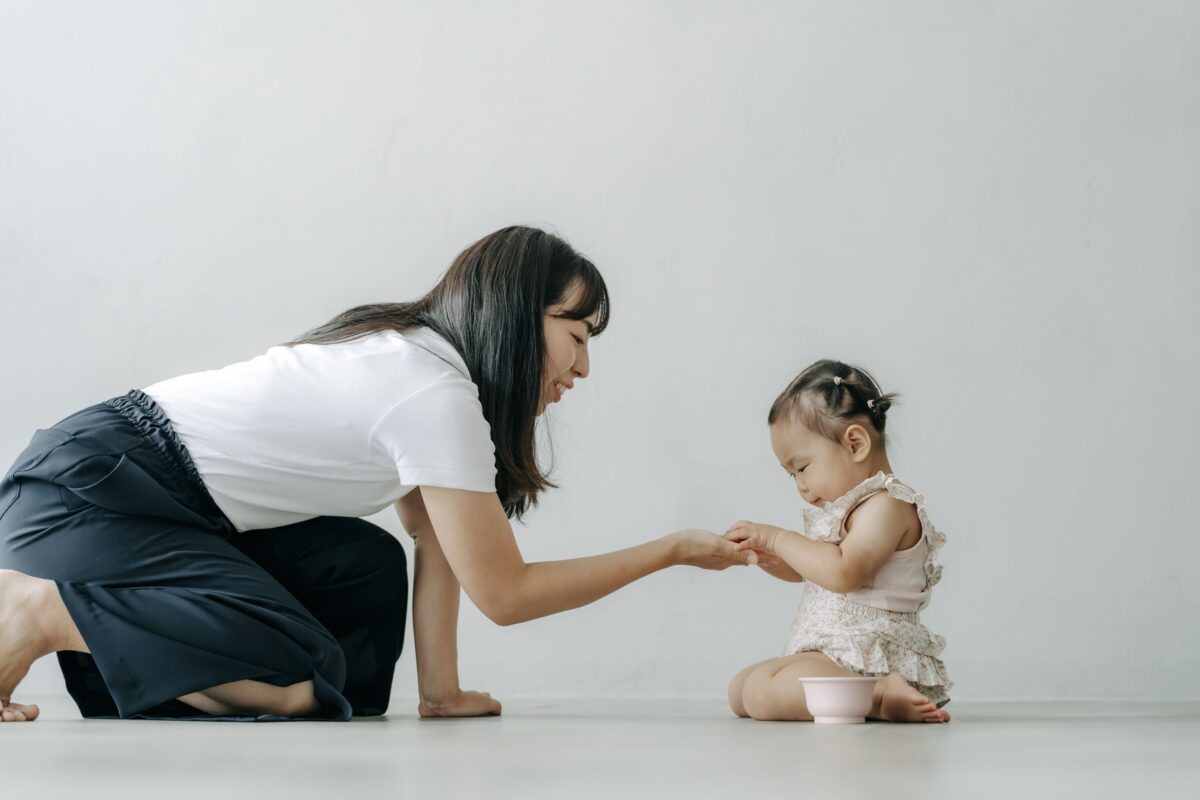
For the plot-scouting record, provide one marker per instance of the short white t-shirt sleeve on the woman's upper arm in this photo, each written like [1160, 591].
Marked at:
[439, 437]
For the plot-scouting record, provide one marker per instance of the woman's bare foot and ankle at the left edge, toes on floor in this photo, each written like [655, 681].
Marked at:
[23, 640]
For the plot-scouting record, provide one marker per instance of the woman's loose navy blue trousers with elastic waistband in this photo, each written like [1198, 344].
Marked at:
[171, 599]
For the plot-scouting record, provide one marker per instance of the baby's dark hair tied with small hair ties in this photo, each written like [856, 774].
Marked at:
[830, 396]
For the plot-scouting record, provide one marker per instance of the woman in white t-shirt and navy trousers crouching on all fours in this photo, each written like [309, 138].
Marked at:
[195, 550]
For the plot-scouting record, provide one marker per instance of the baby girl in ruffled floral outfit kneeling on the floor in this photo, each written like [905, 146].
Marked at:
[867, 557]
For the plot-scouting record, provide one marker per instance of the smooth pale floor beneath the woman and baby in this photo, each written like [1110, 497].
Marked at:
[616, 749]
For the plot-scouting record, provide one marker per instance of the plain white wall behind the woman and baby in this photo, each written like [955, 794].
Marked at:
[992, 206]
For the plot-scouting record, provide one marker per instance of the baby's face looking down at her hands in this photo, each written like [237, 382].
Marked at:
[824, 471]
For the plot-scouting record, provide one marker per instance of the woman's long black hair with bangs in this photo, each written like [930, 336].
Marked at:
[490, 306]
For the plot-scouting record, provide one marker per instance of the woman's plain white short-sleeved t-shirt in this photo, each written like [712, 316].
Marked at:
[333, 430]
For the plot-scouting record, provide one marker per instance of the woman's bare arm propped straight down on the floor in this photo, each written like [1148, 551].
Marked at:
[436, 623]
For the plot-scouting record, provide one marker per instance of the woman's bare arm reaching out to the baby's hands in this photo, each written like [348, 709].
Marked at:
[482, 551]
